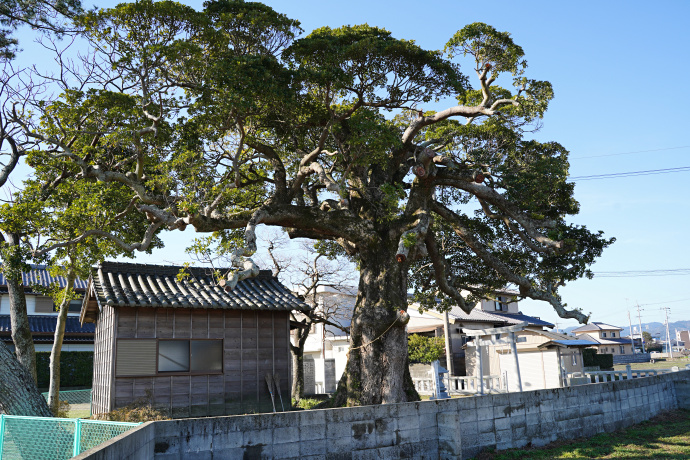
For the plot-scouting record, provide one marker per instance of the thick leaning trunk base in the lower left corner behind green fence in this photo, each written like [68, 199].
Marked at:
[18, 392]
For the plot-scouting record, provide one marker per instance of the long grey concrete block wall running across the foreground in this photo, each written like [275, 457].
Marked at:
[454, 428]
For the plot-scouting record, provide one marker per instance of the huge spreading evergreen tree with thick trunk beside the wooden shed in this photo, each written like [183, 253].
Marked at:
[222, 119]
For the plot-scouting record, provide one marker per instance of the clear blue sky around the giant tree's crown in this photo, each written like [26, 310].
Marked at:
[618, 70]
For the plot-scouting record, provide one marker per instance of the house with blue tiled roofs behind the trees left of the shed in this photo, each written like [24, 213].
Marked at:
[43, 313]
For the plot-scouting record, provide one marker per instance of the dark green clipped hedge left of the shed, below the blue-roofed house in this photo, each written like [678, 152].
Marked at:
[76, 368]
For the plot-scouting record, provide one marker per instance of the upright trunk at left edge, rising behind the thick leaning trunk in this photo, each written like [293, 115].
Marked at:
[19, 318]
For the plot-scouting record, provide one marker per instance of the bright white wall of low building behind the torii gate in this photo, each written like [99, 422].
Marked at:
[538, 370]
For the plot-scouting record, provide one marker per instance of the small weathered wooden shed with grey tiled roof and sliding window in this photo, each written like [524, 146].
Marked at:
[187, 345]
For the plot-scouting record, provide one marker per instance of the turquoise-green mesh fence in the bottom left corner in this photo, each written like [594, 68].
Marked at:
[43, 438]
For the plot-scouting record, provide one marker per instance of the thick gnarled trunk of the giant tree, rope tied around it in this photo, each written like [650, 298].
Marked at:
[377, 370]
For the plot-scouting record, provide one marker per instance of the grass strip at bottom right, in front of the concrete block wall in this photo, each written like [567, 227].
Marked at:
[666, 436]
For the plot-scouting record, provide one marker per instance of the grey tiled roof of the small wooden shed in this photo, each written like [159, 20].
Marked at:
[143, 285]
